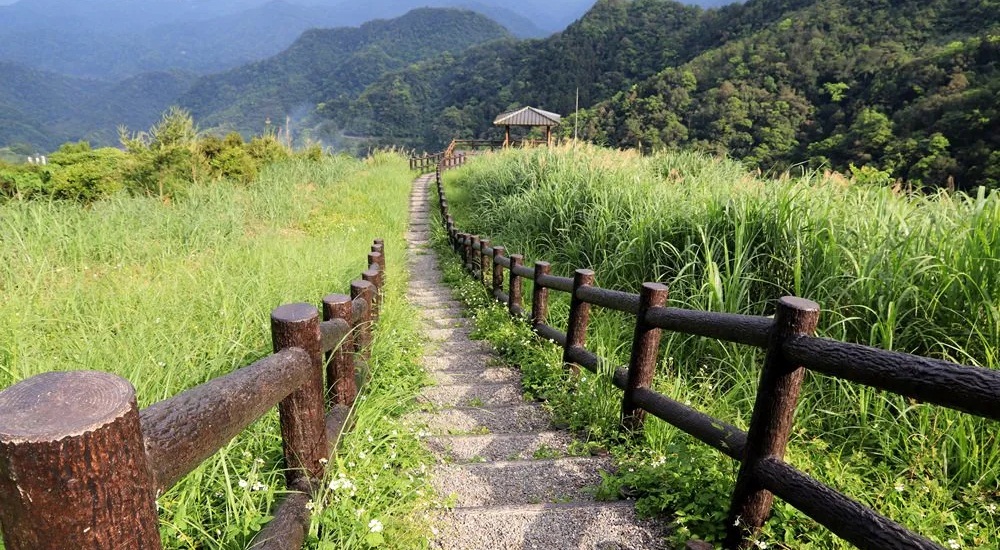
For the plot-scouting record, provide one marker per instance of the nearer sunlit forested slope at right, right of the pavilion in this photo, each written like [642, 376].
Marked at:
[907, 89]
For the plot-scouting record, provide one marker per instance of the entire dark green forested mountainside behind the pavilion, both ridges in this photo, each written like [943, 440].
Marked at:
[905, 88]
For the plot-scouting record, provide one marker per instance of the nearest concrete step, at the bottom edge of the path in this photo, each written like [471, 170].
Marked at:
[590, 526]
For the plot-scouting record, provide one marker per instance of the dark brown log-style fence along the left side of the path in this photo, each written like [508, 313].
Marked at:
[81, 466]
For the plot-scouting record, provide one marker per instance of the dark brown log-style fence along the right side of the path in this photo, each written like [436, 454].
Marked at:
[791, 350]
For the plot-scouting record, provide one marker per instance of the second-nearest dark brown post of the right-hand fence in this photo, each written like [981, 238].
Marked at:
[642, 364]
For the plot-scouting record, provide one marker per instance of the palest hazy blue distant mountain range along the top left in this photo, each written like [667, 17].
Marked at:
[113, 39]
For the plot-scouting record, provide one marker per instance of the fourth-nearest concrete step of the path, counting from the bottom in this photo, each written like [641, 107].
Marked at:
[529, 417]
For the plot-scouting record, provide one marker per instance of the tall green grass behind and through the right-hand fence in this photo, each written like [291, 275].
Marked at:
[919, 274]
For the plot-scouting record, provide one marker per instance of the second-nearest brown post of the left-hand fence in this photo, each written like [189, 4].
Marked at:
[302, 414]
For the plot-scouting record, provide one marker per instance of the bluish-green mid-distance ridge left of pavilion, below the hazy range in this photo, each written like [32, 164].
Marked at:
[333, 65]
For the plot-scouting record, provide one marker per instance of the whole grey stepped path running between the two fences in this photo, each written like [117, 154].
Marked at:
[514, 481]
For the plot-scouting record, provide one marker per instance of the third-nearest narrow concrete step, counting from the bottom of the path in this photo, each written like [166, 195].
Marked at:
[495, 447]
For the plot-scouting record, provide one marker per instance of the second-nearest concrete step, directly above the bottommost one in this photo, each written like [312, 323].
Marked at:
[520, 481]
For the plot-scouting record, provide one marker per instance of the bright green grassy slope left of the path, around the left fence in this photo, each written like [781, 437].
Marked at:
[170, 294]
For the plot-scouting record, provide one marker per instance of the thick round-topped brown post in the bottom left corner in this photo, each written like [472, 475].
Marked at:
[73, 471]
